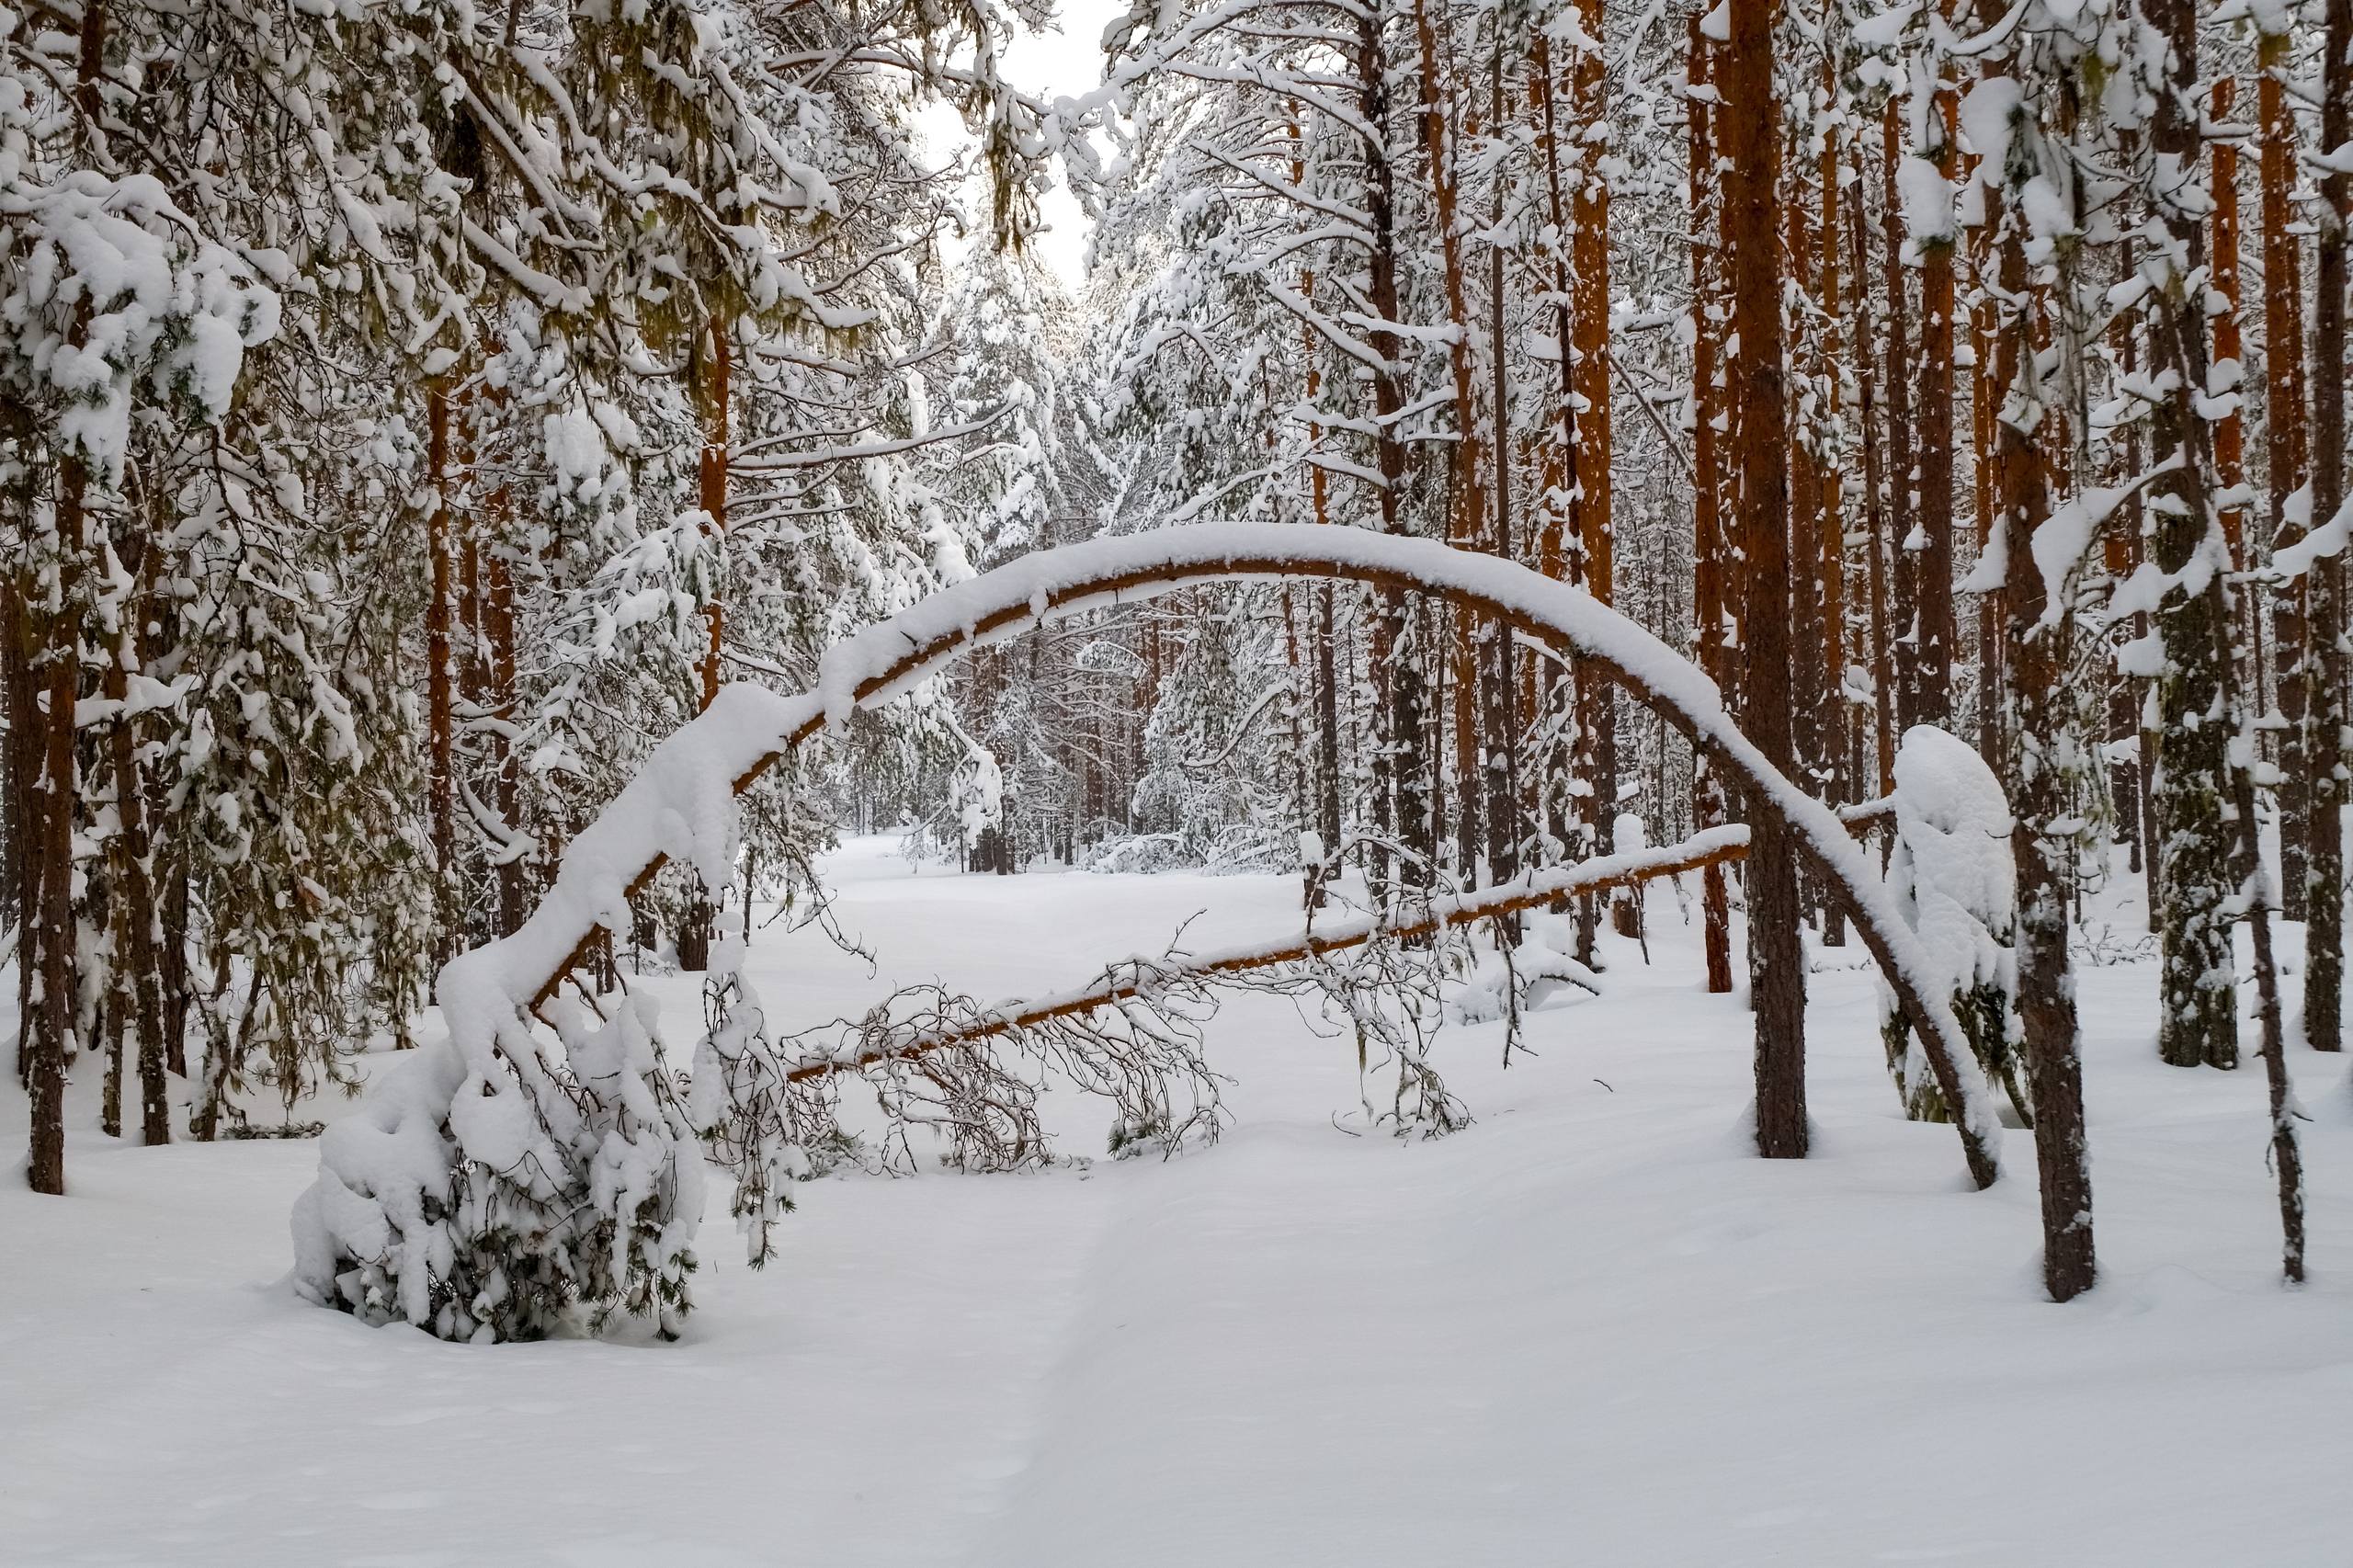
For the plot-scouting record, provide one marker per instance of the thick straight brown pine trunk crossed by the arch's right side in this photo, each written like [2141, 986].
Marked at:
[1775, 948]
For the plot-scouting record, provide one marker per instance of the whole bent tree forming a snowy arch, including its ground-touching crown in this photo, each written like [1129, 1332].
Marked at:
[453, 1197]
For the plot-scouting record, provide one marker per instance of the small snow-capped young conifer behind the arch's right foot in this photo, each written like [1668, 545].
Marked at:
[1957, 884]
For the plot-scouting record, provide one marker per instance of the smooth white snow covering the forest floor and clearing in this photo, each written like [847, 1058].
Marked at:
[1592, 1329]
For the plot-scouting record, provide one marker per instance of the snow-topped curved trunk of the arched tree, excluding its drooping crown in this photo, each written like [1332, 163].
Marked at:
[676, 806]
